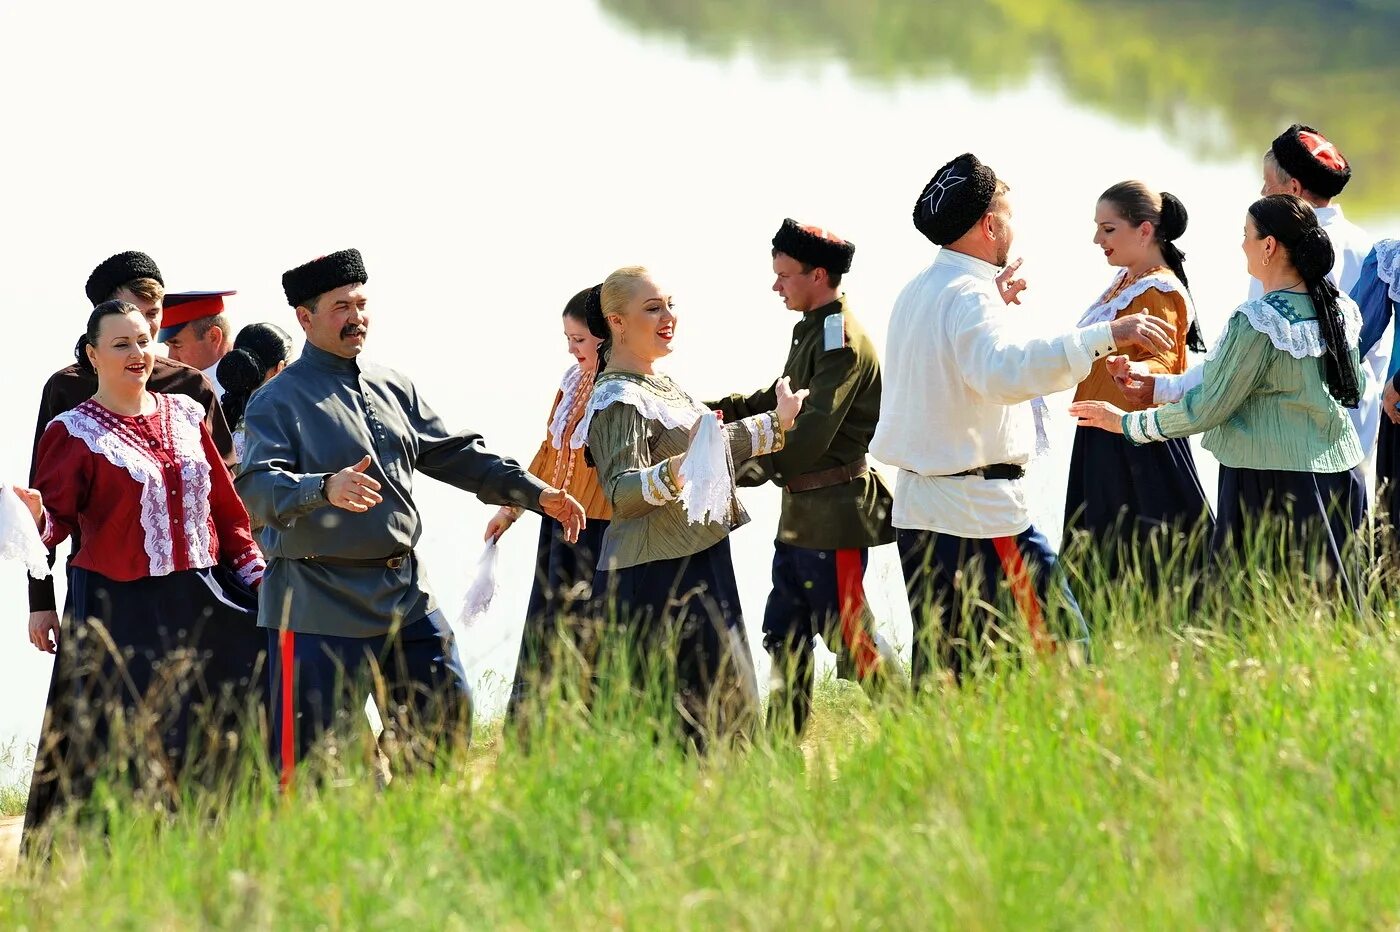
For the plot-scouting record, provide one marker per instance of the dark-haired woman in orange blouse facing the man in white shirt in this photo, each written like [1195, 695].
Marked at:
[1130, 499]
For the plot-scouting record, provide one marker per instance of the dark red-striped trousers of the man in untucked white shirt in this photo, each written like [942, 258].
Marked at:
[962, 590]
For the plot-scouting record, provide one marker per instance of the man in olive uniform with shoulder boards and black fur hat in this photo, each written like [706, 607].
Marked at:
[835, 507]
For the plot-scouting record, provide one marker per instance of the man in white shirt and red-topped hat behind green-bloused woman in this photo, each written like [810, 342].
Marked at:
[1304, 163]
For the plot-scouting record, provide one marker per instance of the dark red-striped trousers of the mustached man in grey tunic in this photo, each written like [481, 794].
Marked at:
[415, 675]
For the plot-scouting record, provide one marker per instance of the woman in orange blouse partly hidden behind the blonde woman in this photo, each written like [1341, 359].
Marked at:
[563, 572]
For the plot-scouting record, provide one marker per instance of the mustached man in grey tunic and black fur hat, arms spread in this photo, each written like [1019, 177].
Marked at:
[332, 446]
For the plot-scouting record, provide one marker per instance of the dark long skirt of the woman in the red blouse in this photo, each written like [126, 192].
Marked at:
[153, 679]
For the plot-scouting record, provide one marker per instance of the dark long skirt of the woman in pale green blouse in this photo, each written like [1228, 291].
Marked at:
[1289, 521]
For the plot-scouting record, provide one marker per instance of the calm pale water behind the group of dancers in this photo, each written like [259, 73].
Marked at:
[491, 164]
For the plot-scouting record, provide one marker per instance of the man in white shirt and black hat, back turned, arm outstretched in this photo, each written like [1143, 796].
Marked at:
[957, 421]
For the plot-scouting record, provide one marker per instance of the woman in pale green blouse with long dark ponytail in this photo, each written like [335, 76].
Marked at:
[1273, 397]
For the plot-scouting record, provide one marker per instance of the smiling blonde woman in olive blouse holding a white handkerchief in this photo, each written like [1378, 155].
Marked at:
[667, 573]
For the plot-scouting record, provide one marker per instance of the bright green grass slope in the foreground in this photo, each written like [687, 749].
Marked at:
[1226, 768]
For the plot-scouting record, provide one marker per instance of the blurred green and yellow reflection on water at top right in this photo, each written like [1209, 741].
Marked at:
[1226, 76]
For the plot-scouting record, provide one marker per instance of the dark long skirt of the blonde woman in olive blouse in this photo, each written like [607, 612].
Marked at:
[684, 629]
